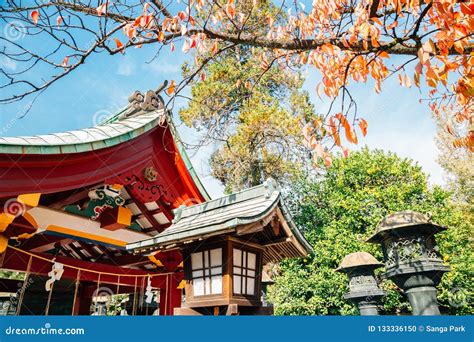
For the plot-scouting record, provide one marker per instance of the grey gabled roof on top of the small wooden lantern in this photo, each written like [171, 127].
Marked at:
[257, 214]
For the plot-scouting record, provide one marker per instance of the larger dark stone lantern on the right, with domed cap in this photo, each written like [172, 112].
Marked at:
[412, 260]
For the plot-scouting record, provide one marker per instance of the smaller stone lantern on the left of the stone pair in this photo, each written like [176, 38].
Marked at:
[363, 288]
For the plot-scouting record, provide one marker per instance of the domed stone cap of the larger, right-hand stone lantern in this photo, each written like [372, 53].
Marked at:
[402, 222]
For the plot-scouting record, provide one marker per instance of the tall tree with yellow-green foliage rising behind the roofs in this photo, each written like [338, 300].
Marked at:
[254, 110]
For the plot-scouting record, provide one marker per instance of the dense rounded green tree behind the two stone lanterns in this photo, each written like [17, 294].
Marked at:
[338, 212]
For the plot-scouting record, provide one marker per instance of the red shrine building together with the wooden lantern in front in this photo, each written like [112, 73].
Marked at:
[117, 209]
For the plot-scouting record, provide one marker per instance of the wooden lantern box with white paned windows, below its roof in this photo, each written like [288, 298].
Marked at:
[223, 272]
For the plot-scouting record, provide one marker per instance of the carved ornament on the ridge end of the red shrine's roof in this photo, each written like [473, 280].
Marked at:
[139, 103]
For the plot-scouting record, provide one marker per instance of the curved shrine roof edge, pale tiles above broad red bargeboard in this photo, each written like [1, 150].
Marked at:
[139, 136]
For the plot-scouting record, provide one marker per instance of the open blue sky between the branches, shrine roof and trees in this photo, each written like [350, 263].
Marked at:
[397, 121]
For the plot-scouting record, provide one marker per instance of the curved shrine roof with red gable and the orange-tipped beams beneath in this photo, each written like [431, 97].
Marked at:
[134, 159]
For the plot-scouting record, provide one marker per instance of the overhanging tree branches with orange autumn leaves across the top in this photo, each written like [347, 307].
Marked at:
[346, 40]
